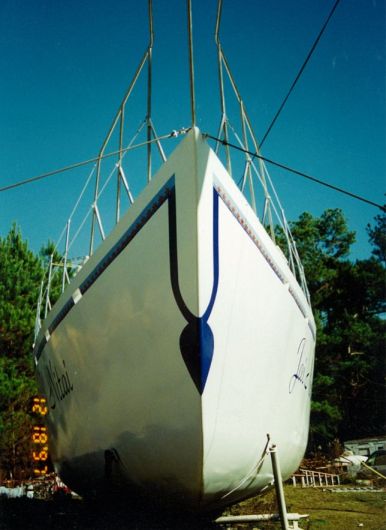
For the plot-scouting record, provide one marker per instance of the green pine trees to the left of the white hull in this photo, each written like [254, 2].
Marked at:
[20, 277]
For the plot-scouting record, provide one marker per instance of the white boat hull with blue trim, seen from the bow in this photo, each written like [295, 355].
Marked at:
[181, 343]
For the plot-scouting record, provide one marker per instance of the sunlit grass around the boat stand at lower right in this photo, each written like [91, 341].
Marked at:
[328, 510]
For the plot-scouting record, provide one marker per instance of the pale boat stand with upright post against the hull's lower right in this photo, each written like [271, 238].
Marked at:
[288, 521]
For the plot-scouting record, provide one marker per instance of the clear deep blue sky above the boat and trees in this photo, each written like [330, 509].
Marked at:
[65, 65]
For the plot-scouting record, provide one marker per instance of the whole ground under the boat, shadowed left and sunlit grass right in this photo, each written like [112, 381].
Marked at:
[328, 509]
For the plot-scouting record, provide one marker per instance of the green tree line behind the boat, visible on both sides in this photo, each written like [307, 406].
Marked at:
[348, 299]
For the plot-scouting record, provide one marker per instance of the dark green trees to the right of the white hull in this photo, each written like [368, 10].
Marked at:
[348, 299]
